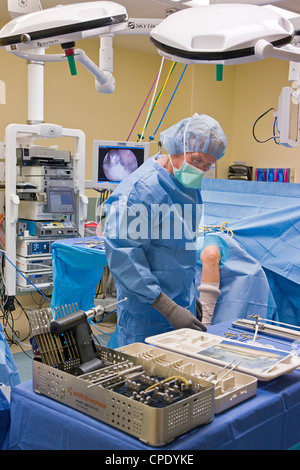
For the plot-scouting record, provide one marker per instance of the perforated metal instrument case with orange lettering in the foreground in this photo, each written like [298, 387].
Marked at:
[154, 426]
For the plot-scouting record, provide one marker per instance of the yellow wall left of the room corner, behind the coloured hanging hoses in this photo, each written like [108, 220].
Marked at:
[73, 102]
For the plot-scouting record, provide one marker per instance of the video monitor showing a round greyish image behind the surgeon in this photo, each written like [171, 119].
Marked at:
[114, 161]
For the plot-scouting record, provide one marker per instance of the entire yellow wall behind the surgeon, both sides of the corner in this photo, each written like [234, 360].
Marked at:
[244, 94]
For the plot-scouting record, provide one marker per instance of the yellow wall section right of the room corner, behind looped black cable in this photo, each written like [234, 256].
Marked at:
[257, 89]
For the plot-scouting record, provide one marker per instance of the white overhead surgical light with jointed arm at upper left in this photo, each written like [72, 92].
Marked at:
[29, 35]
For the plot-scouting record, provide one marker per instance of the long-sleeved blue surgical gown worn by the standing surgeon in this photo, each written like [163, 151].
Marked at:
[150, 244]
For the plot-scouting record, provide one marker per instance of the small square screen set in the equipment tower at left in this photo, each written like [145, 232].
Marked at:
[60, 200]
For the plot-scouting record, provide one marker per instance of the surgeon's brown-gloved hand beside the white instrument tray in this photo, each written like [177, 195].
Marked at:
[178, 317]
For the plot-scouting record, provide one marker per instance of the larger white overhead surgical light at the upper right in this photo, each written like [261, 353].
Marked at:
[225, 34]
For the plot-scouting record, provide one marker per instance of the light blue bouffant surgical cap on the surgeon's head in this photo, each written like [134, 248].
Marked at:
[200, 133]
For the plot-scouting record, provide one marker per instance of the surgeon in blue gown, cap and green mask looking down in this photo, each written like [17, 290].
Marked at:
[151, 232]
